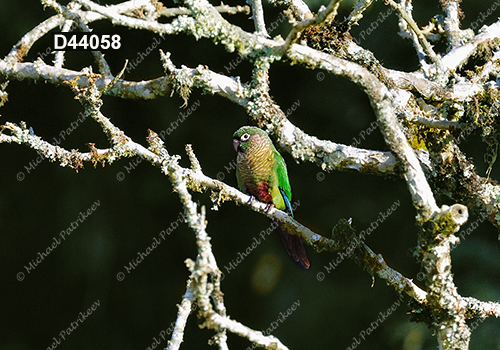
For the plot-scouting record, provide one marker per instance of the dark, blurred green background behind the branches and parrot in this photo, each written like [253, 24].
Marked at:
[132, 312]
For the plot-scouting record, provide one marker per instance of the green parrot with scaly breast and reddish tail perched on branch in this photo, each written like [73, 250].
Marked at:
[261, 173]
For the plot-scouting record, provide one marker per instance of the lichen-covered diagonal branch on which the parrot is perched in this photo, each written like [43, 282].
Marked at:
[125, 147]
